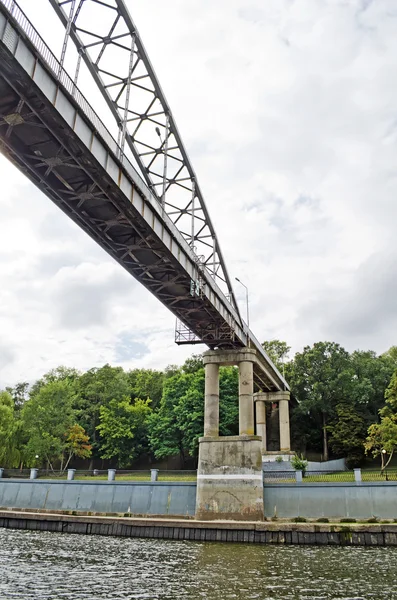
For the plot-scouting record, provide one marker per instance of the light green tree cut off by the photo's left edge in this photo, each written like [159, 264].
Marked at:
[9, 453]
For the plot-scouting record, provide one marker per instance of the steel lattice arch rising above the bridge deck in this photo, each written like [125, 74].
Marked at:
[108, 42]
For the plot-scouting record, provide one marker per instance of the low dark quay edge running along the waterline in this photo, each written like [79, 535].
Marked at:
[287, 533]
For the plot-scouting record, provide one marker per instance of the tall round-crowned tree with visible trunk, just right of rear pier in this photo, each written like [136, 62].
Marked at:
[320, 378]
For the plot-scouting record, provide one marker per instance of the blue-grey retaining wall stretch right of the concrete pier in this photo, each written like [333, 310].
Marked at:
[332, 500]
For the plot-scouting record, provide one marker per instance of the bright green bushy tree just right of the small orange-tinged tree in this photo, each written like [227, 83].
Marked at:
[123, 429]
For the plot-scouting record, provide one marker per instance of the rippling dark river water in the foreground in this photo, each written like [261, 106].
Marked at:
[52, 566]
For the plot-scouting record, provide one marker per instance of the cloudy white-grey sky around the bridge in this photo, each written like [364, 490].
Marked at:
[288, 110]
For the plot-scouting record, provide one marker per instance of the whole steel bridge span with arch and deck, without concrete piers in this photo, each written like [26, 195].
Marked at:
[128, 183]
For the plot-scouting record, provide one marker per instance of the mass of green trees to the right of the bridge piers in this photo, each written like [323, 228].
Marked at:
[347, 401]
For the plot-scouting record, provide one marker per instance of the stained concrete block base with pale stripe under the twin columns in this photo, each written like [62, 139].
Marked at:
[229, 479]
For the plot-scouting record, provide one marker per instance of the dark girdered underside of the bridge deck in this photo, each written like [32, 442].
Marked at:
[36, 139]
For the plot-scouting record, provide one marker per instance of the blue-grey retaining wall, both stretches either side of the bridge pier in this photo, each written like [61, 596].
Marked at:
[285, 500]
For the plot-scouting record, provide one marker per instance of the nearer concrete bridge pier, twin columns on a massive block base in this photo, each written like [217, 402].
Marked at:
[229, 479]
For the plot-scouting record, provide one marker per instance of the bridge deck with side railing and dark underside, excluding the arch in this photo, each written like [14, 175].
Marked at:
[50, 132]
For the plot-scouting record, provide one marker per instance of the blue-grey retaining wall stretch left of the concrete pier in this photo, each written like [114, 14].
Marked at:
[141, 498]
